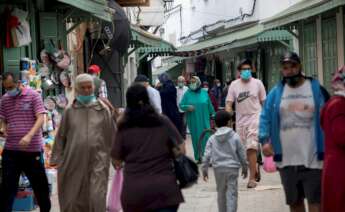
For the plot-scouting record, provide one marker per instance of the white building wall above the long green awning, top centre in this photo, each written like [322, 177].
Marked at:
[198, 13]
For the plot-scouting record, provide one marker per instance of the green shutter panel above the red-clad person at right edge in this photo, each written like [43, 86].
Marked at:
[329, 50]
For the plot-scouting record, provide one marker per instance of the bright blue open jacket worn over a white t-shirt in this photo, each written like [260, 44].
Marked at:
[269, 127]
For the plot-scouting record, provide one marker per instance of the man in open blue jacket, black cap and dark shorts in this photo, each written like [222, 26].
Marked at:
[290, 131]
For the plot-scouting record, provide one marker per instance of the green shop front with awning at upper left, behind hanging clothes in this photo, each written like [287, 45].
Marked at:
[47, 21]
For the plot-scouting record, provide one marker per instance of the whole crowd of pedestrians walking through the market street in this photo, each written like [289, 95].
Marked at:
[297, 124]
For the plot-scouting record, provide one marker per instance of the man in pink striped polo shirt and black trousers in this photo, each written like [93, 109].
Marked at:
[22, 115]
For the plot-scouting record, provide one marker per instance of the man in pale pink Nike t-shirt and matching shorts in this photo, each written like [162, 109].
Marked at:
[248, 94]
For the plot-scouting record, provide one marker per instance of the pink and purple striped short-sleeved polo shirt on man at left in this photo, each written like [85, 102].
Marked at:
[19, 113]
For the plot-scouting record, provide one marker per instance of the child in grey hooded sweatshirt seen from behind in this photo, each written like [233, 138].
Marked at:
[226, 153]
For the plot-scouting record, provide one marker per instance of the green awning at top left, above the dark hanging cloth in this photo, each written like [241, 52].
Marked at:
[98, 8]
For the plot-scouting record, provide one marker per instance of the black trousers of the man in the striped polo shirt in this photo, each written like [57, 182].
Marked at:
[31, 164]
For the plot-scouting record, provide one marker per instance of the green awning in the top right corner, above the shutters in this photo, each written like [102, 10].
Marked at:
[302, 10]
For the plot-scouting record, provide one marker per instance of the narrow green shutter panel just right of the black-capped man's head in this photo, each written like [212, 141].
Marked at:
[309, 50]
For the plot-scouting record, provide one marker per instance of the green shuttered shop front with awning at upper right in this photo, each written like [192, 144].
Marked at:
[318, 27]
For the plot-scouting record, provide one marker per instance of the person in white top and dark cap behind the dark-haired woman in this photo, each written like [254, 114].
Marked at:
[155, 97]
